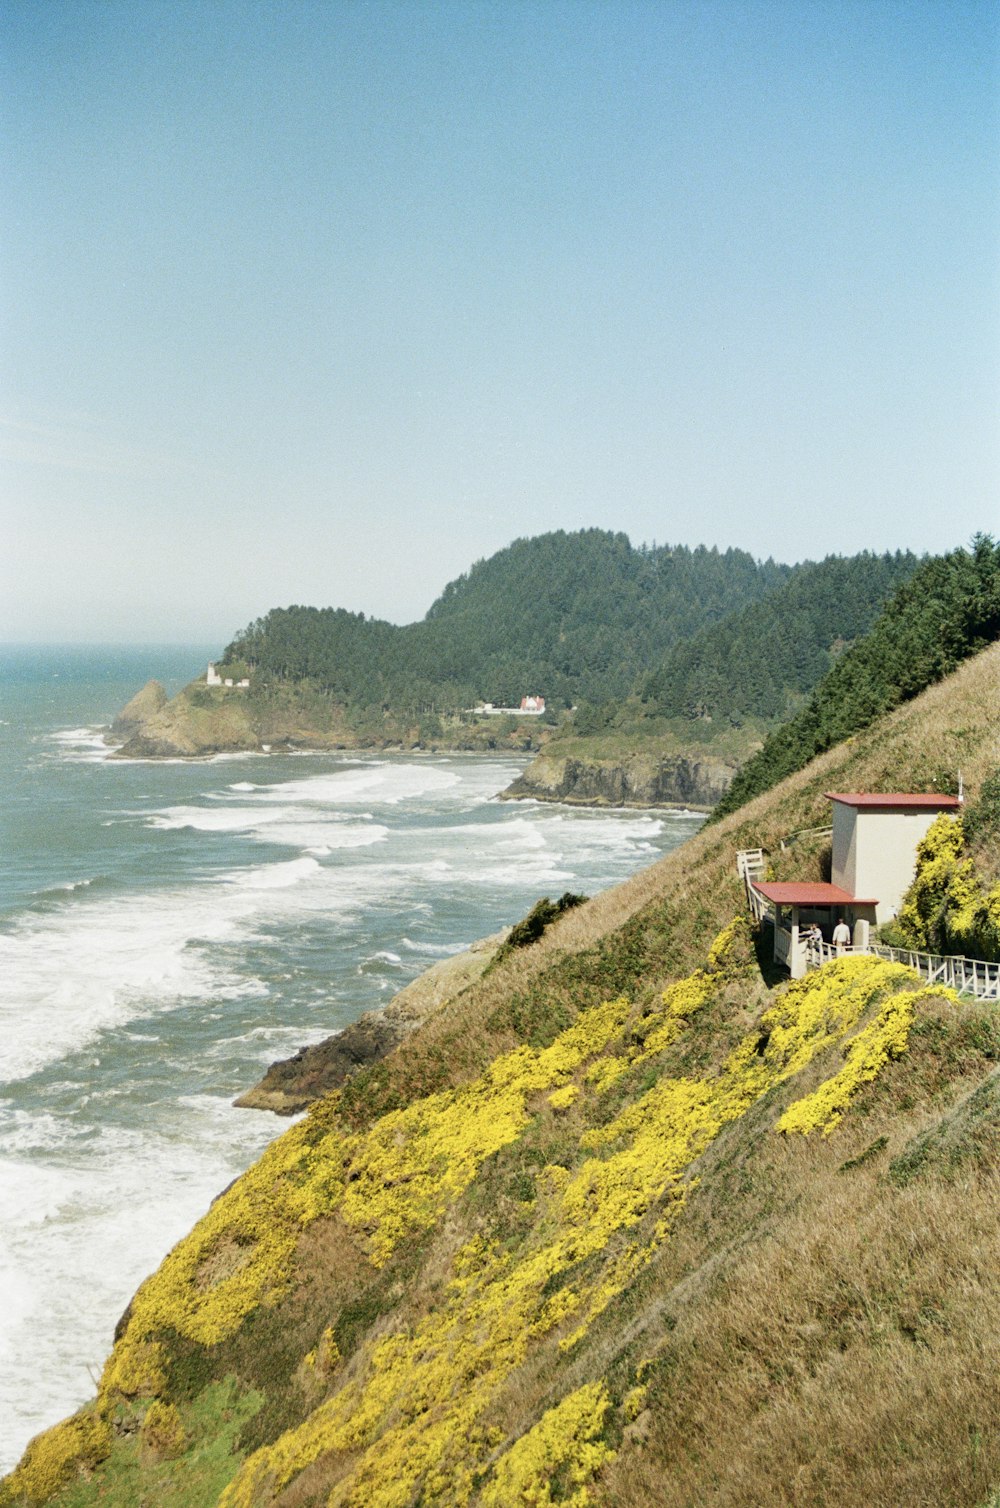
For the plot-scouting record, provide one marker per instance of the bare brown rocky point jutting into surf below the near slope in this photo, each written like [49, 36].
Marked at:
[295, 1082]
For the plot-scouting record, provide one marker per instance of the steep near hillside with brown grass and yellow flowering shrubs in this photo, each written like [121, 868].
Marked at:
[621, 1225]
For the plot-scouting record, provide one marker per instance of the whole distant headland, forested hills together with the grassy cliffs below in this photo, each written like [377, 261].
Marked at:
[581, 619]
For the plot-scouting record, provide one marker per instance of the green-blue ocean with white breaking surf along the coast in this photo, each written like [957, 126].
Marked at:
[168, 930]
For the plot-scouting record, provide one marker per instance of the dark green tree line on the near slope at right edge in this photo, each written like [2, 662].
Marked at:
[946, 611]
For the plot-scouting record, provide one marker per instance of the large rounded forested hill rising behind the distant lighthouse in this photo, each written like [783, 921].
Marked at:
[569, 616]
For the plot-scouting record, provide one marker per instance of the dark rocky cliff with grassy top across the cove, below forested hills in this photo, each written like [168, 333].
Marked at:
[637, 782]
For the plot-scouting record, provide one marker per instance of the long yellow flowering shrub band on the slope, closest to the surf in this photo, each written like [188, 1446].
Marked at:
[388, 1185]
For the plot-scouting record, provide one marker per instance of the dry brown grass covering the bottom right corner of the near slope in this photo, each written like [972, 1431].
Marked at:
[824, 1337]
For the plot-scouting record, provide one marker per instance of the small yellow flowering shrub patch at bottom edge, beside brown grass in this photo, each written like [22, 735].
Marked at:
[566, 1441]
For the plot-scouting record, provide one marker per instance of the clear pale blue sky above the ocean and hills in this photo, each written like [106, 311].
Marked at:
[322, 302]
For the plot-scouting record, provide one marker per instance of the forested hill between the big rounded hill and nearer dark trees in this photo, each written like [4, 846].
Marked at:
[761, 661]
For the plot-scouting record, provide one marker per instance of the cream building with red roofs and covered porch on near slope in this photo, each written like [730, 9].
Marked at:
[876, 841]
